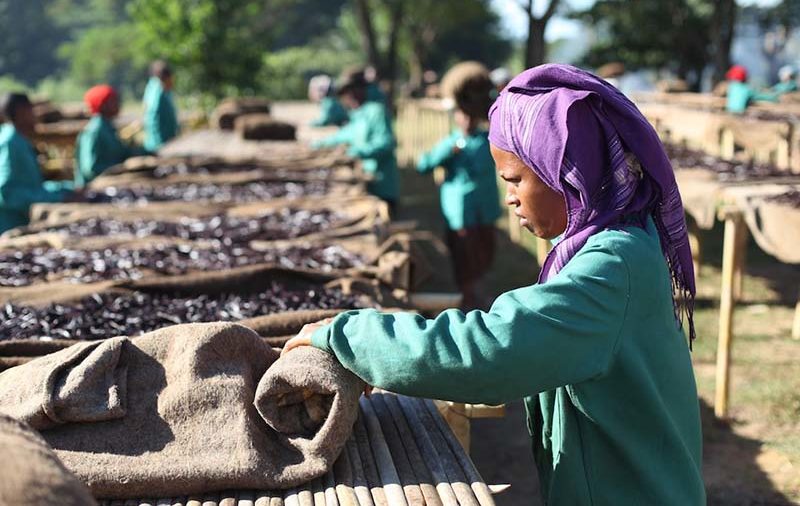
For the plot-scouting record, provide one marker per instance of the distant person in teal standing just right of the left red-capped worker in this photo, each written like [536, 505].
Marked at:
[160, 115]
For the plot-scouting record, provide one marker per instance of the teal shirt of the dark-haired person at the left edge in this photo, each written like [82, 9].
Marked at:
[21, 181]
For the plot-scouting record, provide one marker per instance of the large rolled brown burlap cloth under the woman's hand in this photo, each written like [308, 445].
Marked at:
[186, 409]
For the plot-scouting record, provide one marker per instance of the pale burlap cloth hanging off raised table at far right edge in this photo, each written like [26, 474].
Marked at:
[774, 226]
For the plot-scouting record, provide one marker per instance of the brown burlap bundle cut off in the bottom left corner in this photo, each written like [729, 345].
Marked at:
[32, 474]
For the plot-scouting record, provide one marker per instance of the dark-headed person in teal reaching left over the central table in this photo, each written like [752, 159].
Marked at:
[368, 136]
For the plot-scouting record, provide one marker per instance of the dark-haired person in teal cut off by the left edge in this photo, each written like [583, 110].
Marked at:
[21, 181]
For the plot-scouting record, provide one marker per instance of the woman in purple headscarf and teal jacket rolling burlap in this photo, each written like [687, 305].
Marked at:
[596, 348]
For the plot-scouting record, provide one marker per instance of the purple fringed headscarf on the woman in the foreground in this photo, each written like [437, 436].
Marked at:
[574, 130]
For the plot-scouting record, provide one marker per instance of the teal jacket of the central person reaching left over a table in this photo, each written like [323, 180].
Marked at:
[369, 137]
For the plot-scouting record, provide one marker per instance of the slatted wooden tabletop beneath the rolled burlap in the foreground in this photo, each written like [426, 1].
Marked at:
[401, 453]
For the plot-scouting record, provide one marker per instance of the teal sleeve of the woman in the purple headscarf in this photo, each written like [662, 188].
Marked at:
[533, 339]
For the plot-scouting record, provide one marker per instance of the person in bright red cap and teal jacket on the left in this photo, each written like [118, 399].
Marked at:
[98, 146]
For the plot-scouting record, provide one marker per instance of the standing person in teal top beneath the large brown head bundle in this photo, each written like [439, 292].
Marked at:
[469, 200]
